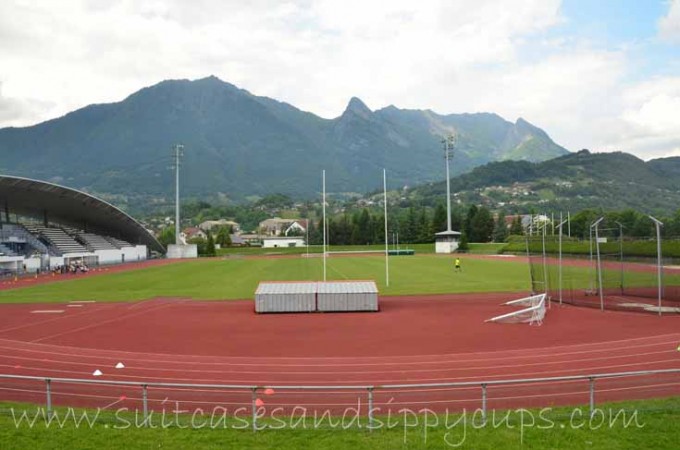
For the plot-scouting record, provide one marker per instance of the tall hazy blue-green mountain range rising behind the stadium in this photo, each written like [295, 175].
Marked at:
[238, 144]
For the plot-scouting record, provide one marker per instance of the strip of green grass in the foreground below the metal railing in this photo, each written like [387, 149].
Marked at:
[631, 425]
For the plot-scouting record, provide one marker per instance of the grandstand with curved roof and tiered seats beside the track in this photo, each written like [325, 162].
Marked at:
[44, 226]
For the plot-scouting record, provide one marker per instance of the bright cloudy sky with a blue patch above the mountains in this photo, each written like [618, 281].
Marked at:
[597, 74]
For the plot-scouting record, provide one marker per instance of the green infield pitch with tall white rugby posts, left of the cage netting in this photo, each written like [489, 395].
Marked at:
[237, 278]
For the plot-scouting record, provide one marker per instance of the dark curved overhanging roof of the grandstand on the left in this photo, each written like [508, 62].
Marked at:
[67, 206]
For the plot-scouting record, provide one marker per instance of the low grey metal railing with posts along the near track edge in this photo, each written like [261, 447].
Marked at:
[368, 390]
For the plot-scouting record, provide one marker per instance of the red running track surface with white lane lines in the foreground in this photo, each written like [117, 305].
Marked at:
[411, 340]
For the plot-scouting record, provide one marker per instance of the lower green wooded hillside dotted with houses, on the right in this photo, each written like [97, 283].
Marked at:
[571, 182]
